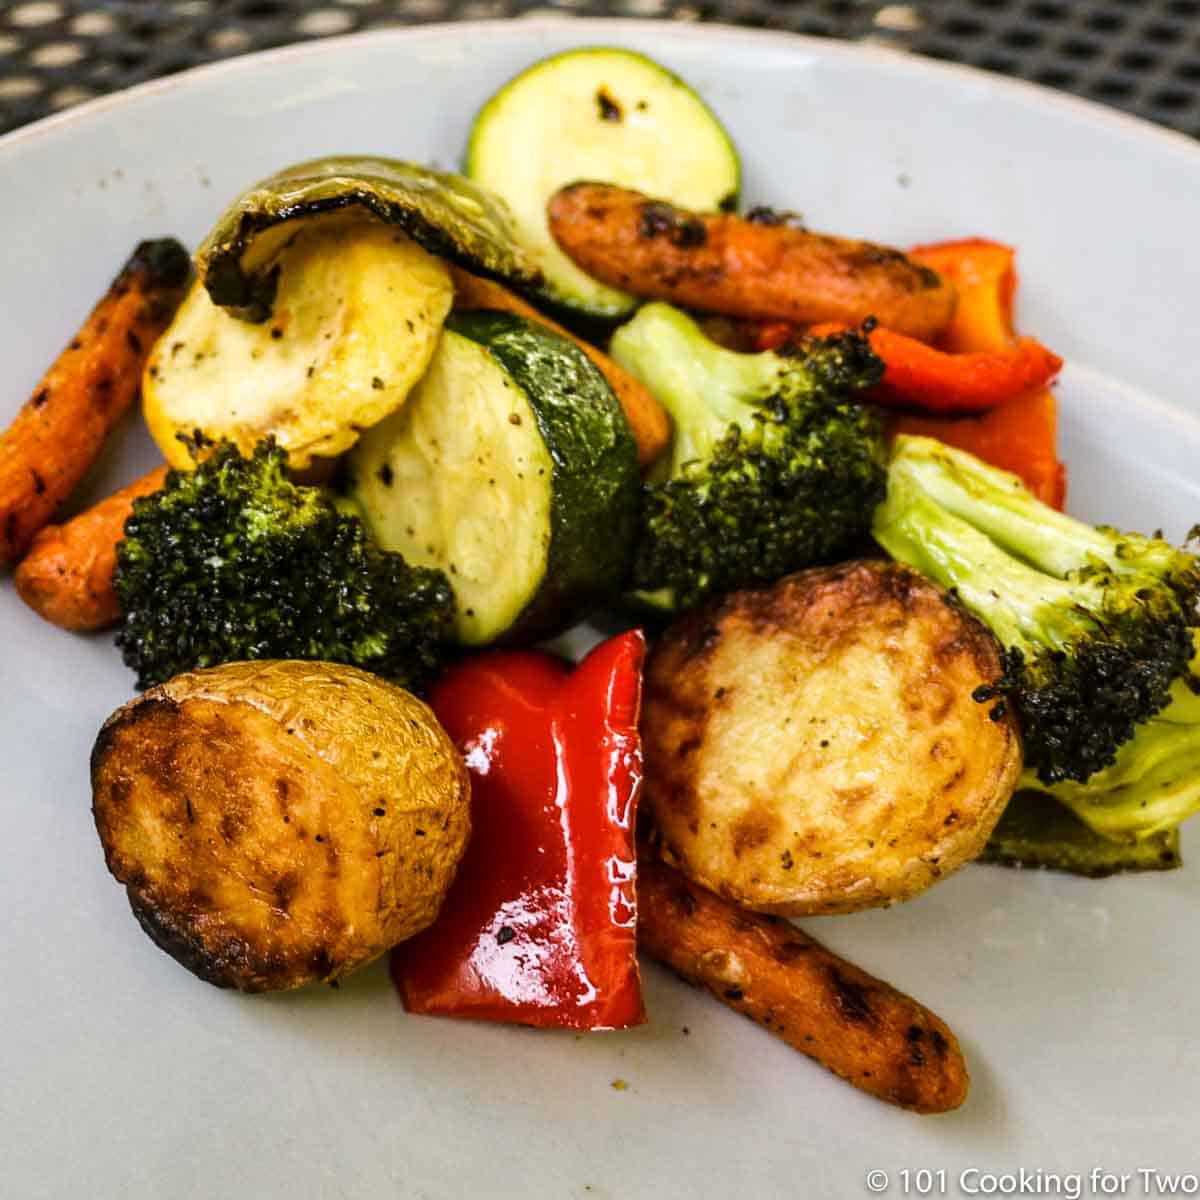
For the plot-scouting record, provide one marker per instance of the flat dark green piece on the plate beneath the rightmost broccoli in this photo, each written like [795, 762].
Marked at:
[1037, 831]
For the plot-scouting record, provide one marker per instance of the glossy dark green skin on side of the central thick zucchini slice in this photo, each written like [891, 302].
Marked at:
[596, 485]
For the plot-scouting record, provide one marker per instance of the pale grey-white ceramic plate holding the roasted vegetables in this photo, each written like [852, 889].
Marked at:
[1078, 1003]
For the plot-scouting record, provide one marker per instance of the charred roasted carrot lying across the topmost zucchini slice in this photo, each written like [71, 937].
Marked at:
[728, 265]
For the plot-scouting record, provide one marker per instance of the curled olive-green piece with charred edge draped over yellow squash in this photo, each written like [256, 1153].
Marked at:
[446, 214]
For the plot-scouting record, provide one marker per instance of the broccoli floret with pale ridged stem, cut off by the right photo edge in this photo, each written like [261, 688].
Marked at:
[1096, 626]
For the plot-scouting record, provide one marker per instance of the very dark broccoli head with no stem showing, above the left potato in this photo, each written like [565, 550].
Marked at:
[233, 562]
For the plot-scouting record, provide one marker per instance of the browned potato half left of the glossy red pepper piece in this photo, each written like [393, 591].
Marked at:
[278, 824]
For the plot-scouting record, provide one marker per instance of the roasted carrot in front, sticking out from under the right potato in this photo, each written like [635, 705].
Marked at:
[862, 1029]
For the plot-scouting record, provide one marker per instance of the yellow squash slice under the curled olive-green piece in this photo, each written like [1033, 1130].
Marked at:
[357, 320]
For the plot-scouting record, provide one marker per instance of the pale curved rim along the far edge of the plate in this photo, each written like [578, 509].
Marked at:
[1093, 112]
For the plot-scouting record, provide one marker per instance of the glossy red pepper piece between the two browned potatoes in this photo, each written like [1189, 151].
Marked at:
[541, 925]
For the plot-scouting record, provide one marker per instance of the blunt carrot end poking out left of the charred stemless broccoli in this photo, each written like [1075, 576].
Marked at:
[68, 574]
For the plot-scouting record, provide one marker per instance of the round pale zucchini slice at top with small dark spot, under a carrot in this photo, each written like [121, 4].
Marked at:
[601, 115]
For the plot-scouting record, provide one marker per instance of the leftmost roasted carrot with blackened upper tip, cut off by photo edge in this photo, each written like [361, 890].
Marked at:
[59, 433]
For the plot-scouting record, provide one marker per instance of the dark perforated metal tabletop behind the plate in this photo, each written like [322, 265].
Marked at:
[1141, 56]
